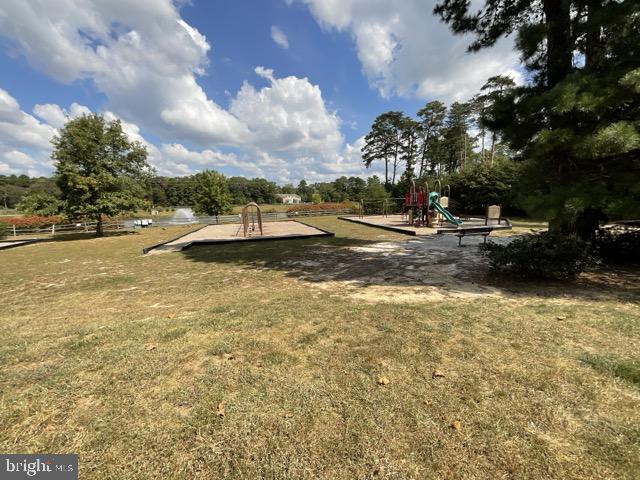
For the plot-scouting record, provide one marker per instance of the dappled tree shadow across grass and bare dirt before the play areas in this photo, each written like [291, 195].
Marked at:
[413, 263]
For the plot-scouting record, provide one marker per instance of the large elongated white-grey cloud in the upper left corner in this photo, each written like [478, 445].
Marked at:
[140, 54]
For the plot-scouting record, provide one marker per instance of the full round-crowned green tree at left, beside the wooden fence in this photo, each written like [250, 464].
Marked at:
[99, 170]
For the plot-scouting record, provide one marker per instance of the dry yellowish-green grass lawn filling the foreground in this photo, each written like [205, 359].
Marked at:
[125, 359]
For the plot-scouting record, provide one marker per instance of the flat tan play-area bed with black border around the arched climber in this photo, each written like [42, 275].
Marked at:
[232, 232]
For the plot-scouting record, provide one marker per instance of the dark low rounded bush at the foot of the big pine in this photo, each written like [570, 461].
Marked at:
[540, 256]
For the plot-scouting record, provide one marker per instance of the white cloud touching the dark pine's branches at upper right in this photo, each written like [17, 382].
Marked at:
[404, 49]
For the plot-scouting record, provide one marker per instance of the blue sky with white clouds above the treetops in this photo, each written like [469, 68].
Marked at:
[281, 89]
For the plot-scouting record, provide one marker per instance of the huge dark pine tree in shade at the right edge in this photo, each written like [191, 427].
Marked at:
[575, 126]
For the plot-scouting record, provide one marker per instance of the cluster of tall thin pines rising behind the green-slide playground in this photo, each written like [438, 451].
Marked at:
[440, 140]
